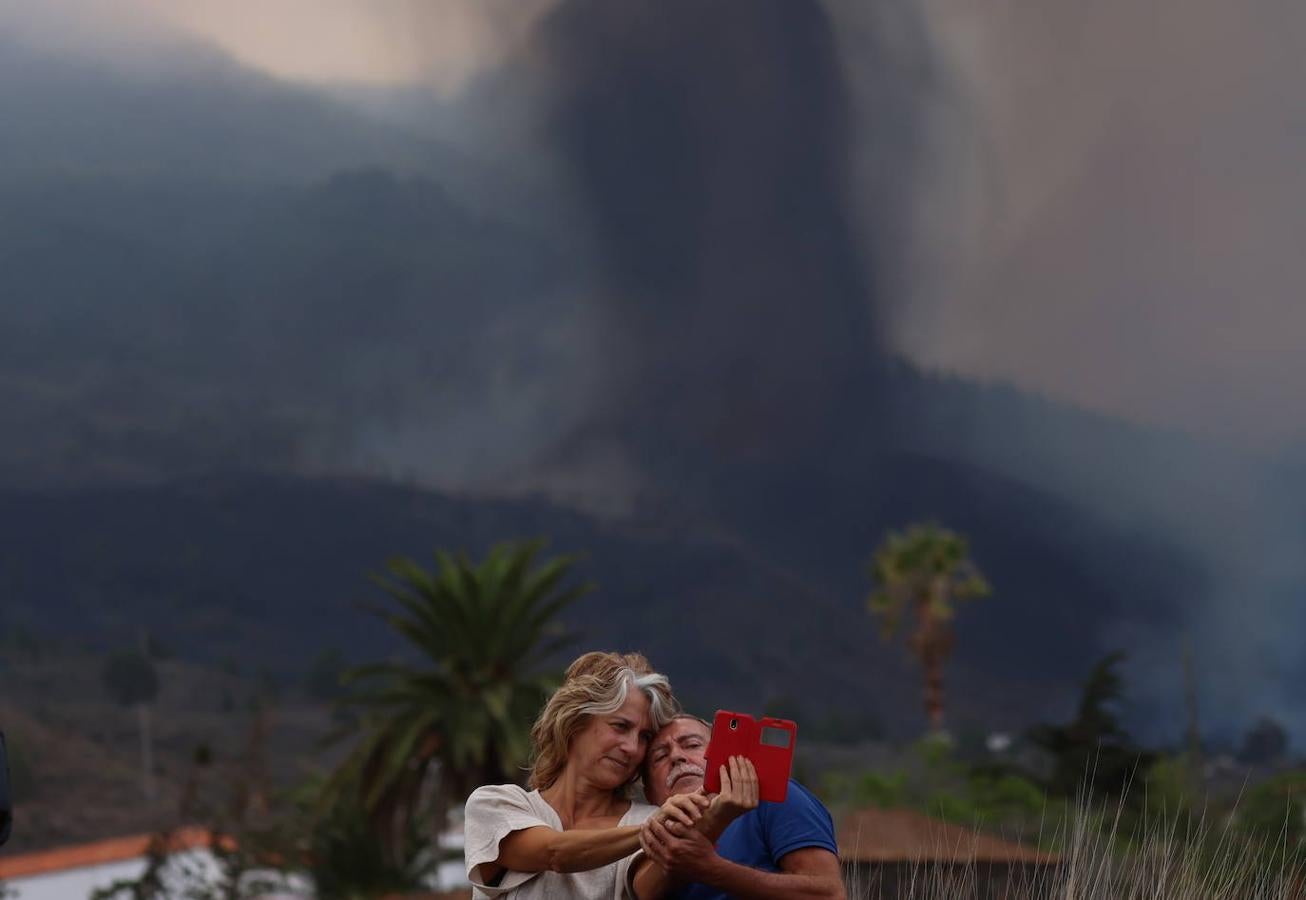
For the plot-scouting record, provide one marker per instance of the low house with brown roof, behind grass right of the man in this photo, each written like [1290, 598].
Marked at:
[884, 852]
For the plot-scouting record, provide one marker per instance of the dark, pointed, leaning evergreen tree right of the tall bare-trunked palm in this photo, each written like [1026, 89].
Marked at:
[1094, 752]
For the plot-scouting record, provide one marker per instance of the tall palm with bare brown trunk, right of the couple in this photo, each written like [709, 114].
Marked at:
[925, 570]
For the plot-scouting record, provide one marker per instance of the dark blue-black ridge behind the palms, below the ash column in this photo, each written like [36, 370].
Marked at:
[270, 571]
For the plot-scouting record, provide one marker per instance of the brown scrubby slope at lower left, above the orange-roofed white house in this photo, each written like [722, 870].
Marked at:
[75, 754]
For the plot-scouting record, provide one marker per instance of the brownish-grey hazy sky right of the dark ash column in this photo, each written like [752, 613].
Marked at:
[1128, 206]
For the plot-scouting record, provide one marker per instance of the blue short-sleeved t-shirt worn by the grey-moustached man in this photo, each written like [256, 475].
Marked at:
[761, 838]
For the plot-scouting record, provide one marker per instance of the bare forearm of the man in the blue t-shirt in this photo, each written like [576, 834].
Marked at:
[809, 873]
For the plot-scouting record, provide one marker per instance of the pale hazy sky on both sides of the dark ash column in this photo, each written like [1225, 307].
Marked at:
[1112, 214]
